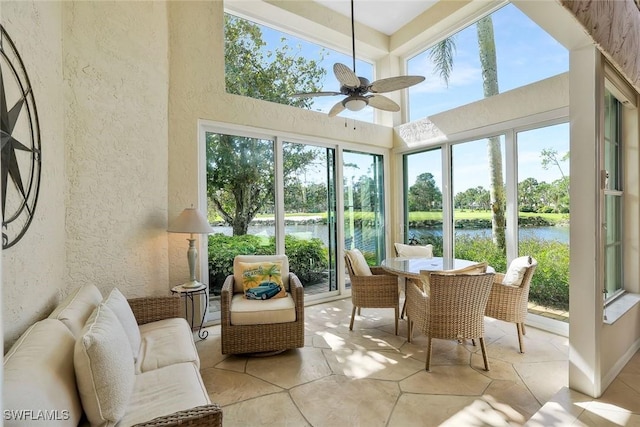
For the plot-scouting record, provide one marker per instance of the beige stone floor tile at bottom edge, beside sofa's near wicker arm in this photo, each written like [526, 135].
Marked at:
[272, 410]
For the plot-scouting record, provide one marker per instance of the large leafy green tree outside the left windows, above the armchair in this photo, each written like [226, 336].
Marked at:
[240, 170]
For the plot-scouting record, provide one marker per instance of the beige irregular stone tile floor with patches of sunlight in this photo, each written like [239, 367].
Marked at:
[371, 377]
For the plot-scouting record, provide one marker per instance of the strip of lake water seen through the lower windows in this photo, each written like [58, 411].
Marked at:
[559, 234]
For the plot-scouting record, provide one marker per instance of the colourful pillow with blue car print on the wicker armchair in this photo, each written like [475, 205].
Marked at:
[262, 280]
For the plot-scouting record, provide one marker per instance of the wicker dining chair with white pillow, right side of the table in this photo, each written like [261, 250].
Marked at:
[509, 301]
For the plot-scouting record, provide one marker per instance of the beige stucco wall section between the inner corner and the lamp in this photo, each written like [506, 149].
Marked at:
[116, 89]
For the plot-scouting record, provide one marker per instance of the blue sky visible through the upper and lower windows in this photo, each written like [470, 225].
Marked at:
[525, 54]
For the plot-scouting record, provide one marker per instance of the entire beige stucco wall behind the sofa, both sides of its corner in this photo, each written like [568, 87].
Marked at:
[100, 77]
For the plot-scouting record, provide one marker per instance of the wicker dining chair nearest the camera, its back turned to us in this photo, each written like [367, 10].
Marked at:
[454, 308]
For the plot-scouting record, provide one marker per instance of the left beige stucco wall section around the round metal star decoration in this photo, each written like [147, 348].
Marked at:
[33, 276]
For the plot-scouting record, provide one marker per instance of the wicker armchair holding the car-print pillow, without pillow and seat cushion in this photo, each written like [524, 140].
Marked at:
[261, 337]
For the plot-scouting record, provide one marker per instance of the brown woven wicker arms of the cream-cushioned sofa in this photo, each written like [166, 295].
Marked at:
[151, 309]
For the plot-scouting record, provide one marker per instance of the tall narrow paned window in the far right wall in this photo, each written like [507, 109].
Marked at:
[612, 177]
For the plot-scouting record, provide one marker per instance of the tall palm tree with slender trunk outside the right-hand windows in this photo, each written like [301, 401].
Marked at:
[442, 57]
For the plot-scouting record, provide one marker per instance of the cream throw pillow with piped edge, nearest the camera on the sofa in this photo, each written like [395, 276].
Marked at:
[104, 371]
